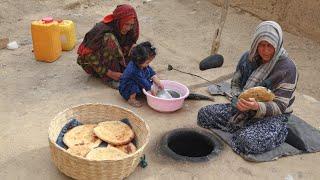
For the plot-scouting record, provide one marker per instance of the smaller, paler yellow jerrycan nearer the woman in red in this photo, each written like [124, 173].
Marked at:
[67, 34]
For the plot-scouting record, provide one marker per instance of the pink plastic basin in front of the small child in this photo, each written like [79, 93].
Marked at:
[168, 105]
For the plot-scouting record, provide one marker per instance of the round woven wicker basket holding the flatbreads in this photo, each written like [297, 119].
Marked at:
[81, 168]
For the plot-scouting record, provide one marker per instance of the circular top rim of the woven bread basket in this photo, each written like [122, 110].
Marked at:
[103, 104]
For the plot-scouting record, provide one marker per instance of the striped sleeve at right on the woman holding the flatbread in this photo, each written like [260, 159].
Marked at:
[284, 81]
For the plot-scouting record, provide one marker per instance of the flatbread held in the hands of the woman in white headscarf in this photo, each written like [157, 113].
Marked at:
[259, 93]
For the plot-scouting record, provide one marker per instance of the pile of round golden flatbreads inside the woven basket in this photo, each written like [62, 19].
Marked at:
[84, 140]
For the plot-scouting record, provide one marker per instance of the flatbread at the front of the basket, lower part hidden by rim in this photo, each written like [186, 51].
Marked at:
[105, 153]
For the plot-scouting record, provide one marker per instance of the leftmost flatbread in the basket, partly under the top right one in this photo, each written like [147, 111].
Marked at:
[82, 135]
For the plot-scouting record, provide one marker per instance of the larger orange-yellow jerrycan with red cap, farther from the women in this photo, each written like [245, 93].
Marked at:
[46, 40]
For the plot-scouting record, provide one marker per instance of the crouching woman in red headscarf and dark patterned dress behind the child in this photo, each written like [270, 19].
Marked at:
[106, 47]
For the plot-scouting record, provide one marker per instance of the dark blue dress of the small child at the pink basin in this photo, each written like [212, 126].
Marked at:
[134, 79]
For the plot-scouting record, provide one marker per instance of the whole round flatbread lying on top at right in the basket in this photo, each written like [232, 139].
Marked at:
[114, 132]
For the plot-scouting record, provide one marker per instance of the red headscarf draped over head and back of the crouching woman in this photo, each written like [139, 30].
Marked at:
[111, 23]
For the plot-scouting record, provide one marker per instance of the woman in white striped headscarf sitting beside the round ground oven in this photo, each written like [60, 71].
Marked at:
[265, 64]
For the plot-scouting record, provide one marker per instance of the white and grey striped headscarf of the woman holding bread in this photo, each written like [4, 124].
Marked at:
[271, 32]
